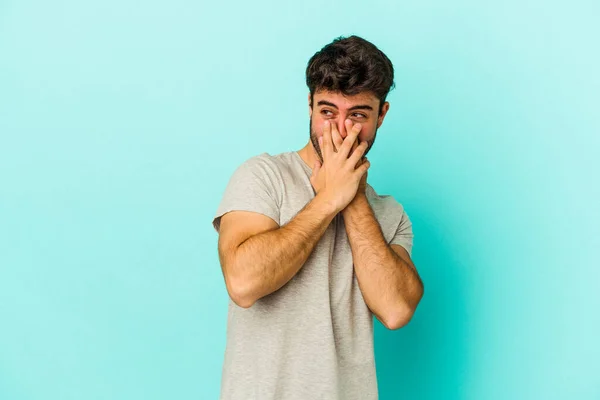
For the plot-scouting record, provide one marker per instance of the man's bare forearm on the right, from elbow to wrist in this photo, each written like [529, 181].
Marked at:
[388, 281]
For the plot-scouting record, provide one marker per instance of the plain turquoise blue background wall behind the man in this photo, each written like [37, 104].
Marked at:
[122, 121]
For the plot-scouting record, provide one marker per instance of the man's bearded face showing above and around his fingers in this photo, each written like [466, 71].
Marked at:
[336, 108]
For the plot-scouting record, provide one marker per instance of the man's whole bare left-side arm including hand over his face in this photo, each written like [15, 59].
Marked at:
[258, 256]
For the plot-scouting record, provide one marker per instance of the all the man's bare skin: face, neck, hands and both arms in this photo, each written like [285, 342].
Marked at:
[258, 256]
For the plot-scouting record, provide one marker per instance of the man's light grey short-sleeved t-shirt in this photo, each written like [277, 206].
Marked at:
[312, 339]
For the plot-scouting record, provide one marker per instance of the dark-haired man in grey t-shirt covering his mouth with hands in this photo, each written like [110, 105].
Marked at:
[309, 255]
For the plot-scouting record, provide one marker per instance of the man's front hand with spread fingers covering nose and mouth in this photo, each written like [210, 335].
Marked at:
[338, 178]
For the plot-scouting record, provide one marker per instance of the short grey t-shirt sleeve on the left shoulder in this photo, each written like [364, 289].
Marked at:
[252, 187]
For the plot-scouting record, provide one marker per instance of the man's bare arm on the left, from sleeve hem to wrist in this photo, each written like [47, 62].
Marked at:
[260, 264]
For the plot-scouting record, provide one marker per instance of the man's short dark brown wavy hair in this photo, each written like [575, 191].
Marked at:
[350, 65]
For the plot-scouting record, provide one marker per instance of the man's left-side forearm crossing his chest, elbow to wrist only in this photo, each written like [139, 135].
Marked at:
[267, 261]
